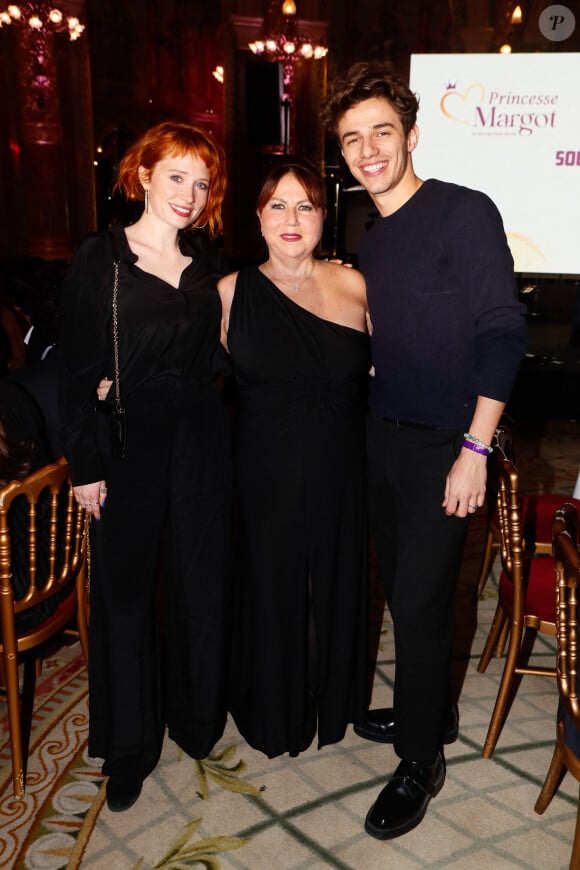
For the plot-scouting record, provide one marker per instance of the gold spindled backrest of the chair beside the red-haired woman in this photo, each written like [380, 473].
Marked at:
[42, 547]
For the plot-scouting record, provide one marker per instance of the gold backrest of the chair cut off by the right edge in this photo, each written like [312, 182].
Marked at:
[567, 562]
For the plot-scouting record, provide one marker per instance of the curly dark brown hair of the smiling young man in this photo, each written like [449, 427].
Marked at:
[361, 82]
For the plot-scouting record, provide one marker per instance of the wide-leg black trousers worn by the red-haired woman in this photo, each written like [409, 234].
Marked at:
[173, 486]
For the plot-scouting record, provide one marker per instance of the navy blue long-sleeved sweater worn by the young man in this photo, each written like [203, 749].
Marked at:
[447, 326]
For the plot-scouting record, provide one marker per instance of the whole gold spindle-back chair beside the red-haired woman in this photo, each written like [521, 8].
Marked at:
[43, 551]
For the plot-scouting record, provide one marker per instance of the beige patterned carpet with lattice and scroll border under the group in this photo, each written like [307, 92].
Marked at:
[237, 809]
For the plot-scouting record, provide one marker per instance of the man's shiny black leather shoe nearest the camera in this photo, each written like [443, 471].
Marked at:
[401, 805]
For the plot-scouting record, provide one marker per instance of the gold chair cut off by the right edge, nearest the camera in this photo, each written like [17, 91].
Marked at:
[567, 750]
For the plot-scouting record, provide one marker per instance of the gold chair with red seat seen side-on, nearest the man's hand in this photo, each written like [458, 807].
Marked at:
[526, 602]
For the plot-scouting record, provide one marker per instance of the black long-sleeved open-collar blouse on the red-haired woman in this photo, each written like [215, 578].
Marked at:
[163, 330]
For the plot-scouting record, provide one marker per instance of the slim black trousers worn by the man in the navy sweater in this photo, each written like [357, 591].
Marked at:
[419, 551]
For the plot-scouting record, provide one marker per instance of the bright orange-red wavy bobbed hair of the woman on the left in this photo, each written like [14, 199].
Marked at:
[175, 137]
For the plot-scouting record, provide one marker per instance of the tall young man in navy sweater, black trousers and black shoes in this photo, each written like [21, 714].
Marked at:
[448, 336]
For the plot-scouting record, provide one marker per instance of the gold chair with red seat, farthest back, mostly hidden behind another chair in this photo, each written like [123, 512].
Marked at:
[537, 512]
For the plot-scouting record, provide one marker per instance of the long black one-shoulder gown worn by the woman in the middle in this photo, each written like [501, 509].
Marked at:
[300, 627]
